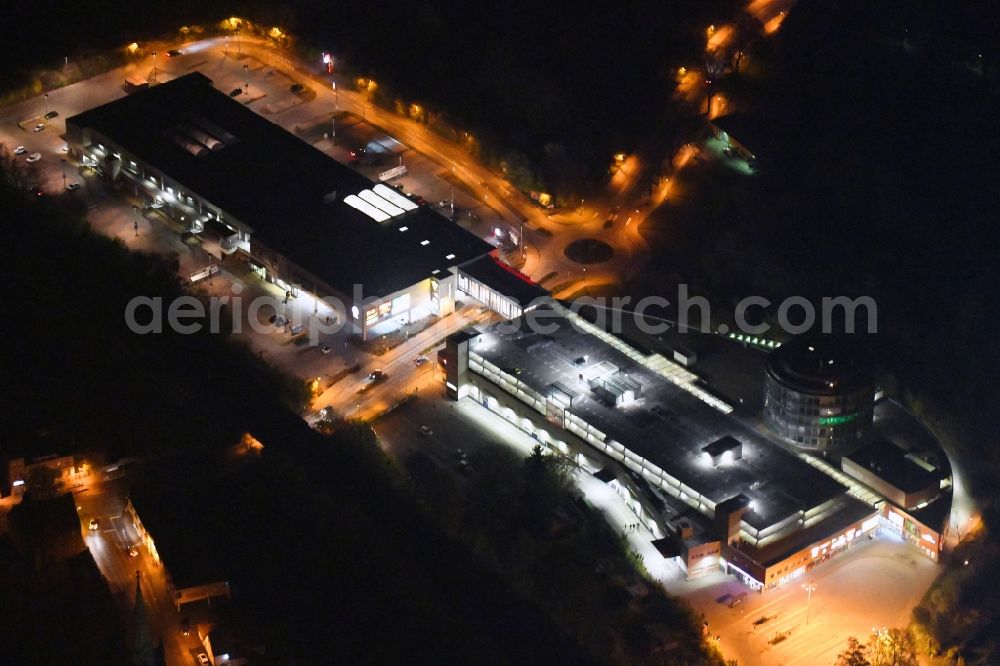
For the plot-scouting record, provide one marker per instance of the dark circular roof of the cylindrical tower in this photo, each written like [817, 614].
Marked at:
[821, 365]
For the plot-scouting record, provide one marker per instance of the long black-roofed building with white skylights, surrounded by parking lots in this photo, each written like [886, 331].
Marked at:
[298, 217]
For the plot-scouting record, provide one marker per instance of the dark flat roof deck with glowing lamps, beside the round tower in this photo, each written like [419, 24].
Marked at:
[666, 425]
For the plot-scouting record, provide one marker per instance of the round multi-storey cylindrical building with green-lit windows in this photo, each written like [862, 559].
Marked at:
[819, 394]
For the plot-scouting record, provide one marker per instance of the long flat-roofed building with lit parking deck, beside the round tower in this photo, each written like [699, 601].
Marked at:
[774, 513]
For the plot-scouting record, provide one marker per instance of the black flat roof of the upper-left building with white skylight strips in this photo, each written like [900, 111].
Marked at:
[289, 193]
